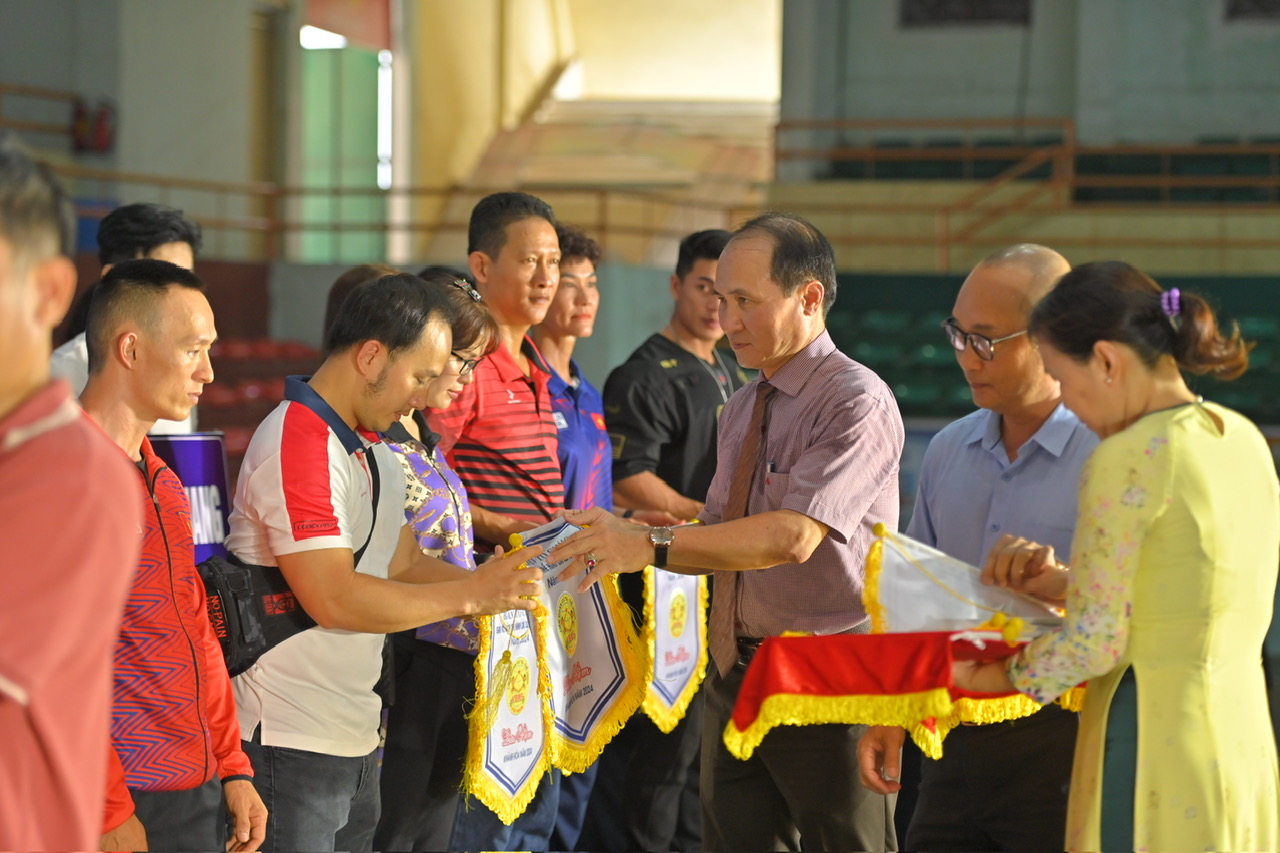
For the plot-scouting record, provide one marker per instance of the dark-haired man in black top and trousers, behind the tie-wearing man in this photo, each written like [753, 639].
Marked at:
[661, 409]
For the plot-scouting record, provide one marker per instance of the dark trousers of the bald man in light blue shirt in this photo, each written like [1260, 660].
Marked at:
[1000, 787]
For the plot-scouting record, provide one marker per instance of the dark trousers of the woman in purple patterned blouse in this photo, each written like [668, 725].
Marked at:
[427, 741]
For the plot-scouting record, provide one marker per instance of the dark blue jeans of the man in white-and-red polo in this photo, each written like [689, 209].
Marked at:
[316, 802]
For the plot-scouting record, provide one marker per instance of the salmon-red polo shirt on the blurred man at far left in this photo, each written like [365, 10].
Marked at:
[71, 523]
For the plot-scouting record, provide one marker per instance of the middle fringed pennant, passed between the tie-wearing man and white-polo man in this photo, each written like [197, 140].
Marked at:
[595, 669]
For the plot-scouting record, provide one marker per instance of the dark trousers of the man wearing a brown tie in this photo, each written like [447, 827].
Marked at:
[798, 791]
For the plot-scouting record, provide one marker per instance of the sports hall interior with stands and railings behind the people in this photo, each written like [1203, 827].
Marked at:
[308, 136]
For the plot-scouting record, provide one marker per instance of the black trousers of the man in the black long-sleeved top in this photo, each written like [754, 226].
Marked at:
[646, 796]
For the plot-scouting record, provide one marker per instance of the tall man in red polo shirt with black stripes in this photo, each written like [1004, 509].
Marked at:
[501, 439]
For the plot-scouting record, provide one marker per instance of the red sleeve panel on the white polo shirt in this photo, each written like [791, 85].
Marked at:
[305, 475]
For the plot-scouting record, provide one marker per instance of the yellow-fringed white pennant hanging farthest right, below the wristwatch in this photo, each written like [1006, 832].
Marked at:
[675, 628]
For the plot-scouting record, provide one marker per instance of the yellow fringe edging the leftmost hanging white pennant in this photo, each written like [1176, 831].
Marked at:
[474, 782]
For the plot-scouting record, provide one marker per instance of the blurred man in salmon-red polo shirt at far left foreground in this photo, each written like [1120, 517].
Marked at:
[71, 533]
